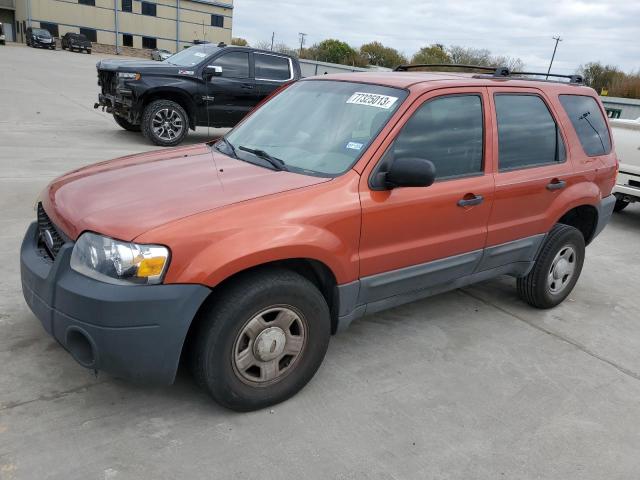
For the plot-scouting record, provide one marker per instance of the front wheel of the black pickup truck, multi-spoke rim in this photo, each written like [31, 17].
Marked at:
[165, 123]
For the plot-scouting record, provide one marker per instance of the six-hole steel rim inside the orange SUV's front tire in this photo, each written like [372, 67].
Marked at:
[269, 345]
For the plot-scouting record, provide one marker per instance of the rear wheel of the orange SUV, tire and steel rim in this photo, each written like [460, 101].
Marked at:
[556, 270]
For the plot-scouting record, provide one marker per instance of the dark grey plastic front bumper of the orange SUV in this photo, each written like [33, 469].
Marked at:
[132, 332]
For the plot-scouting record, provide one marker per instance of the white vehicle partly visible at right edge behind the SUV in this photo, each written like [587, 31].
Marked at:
[626, 134]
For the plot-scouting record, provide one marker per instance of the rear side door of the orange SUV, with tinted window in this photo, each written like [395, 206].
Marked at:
[532, 170]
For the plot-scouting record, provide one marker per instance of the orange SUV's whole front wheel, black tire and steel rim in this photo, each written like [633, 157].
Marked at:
[262, 340]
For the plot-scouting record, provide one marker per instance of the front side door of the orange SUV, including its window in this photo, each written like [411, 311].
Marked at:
[420, 237]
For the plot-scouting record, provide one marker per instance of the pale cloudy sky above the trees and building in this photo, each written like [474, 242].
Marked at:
[604, 30]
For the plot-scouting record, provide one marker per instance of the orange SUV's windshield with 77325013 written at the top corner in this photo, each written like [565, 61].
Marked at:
[319, 127]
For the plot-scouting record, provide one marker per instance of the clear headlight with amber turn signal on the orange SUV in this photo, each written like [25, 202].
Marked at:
[121, 263]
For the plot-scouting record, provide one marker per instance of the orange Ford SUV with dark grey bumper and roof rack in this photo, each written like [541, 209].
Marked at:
[339, 197]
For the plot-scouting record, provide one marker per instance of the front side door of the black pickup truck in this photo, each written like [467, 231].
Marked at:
[232, 95]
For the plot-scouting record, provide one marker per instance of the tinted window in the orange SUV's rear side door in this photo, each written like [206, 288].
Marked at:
[527, 133]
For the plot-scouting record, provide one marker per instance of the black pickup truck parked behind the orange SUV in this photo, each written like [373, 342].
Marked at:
[204, 85]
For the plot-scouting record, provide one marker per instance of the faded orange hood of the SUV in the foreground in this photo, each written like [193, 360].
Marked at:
[126, 197]
